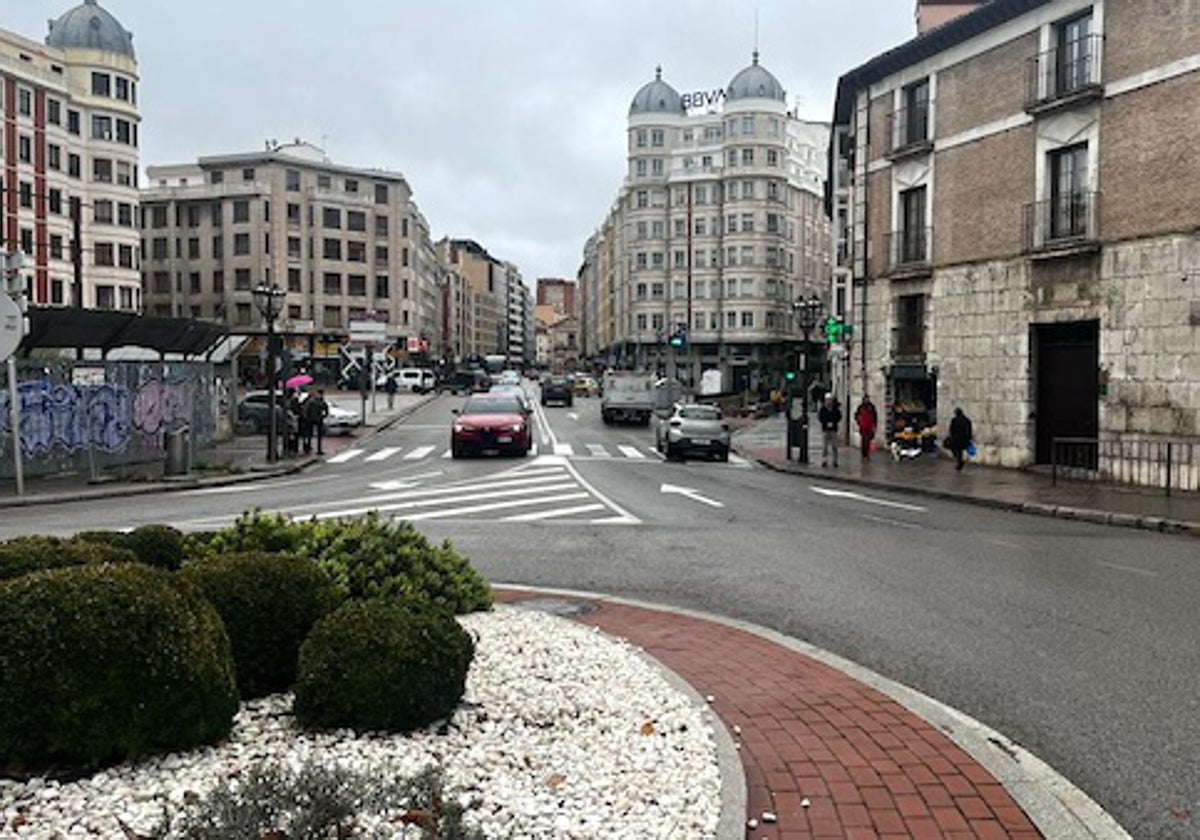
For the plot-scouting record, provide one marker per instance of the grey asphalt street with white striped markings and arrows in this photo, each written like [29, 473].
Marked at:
[1077, 641]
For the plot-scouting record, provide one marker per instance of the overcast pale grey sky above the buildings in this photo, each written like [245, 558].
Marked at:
[507, 117]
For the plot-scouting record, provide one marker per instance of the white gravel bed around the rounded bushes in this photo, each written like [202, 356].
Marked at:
[565, 733]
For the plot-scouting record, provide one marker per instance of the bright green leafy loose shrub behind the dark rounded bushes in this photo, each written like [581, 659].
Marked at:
[365, 557]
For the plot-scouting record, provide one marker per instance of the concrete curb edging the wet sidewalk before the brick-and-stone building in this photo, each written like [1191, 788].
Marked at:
[1034, 508]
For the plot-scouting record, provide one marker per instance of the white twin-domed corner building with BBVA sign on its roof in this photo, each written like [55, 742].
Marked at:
[718, 227]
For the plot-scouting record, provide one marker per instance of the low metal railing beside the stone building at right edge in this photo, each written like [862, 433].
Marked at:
[1169, 465]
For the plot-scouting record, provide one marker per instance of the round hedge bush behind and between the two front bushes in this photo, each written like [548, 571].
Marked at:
[269, 604]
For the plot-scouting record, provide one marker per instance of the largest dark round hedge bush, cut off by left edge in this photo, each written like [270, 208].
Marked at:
[101, 664]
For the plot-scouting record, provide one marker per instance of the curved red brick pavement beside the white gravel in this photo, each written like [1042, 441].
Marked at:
[831, 757]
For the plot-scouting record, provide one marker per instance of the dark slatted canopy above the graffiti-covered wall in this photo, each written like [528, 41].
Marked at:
[70, 328]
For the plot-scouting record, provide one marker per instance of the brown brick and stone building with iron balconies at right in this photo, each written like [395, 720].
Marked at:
[1018, 194]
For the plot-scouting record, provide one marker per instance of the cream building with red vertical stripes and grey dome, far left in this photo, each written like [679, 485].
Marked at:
[74, 106]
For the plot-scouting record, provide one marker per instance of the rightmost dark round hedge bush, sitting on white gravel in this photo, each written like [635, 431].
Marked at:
[382, 664]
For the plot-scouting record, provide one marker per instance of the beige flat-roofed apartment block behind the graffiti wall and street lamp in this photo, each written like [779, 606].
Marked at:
[341, 242]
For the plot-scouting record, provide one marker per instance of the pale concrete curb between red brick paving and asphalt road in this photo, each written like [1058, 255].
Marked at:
[1053, 803]
